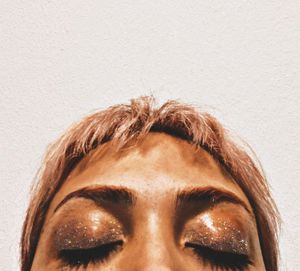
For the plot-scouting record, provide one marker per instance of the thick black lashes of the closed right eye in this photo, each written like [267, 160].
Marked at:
[219, 260]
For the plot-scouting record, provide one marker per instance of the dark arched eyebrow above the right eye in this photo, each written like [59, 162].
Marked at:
[209, 194]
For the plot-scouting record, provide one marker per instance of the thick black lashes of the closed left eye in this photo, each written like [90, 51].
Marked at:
[76, 258]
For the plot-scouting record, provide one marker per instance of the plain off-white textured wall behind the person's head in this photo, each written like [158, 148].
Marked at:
[60, 60]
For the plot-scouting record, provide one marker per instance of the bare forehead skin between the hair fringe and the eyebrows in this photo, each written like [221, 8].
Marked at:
[159, 164]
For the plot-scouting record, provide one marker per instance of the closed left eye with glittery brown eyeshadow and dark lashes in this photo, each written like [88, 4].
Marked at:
[87, 238]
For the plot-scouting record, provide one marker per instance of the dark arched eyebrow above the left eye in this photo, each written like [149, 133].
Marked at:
[102, 195]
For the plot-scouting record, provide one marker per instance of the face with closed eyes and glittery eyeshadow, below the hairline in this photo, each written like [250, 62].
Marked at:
[161, 205]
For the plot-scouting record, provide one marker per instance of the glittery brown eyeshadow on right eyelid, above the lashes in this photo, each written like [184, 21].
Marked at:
[218, 234]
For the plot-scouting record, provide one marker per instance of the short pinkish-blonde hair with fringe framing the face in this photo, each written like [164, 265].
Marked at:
[126, 123]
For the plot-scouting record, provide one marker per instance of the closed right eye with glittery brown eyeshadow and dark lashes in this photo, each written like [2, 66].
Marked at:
[220, 239]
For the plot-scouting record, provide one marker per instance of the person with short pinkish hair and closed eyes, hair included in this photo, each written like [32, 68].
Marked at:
[141, 187]
